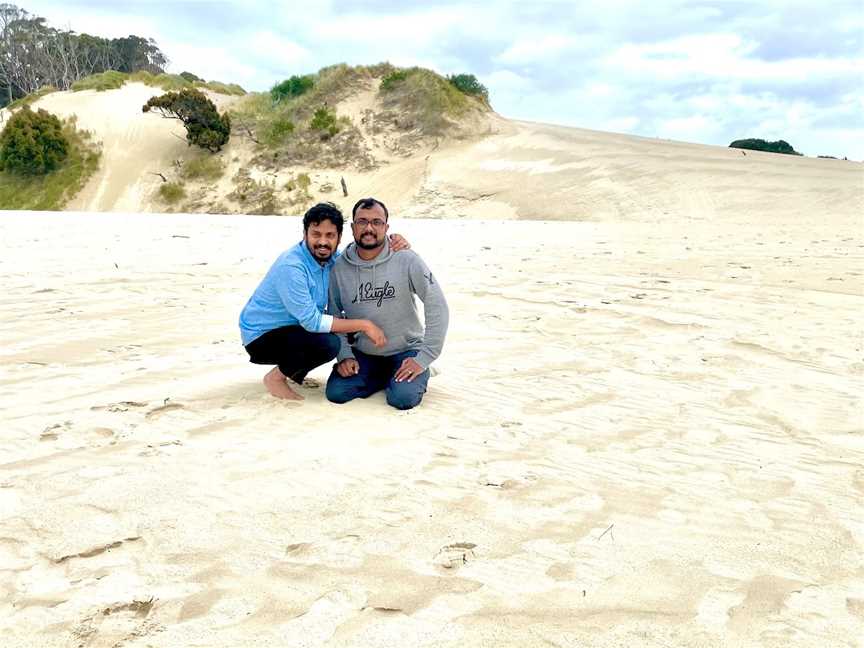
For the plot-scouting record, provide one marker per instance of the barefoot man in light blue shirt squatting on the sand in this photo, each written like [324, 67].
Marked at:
[285, 322]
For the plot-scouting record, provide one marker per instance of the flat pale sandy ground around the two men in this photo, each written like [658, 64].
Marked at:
[643, 434]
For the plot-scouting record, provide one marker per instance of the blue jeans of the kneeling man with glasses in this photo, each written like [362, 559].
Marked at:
[376, 373]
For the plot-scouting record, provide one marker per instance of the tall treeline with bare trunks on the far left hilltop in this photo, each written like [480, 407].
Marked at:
[33, 55]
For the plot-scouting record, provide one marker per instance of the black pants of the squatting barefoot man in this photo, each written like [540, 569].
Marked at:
[294, 350]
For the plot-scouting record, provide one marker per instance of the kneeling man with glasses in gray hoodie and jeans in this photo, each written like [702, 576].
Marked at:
[369, 282]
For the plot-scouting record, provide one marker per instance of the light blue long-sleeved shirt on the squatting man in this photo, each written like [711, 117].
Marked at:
[293, 292]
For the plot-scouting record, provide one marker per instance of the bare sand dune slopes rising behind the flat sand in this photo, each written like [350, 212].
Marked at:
[509, 170]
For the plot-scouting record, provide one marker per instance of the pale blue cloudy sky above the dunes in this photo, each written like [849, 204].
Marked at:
[706, 72]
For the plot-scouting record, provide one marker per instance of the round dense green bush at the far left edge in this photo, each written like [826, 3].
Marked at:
[32, 143]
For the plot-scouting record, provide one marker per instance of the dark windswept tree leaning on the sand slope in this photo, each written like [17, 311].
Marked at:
[205, 127]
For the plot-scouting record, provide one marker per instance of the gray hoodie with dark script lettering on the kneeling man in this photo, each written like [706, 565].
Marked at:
[382, 290]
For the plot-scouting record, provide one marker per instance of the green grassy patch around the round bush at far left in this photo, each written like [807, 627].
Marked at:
[53, 190]
